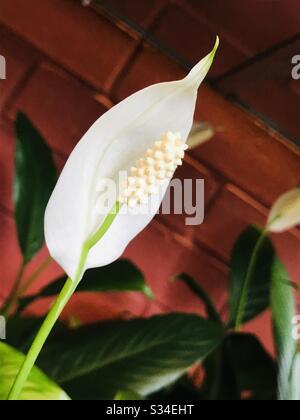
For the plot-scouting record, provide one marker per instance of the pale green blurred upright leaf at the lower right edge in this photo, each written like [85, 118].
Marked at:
[283, 313]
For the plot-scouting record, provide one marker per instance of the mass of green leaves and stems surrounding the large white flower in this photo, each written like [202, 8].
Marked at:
[149, 358]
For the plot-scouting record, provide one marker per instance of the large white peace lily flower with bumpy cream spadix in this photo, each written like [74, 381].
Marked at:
[145, 135]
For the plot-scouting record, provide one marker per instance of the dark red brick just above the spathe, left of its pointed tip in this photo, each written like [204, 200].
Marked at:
[148, 67]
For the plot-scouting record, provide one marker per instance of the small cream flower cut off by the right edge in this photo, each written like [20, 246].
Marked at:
[285, 214]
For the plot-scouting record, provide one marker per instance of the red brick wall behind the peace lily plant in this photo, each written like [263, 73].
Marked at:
[69, 61]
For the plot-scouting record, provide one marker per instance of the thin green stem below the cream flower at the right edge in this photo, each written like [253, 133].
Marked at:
[249, 274]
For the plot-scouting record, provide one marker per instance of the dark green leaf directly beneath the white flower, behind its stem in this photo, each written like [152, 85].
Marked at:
[120, 276]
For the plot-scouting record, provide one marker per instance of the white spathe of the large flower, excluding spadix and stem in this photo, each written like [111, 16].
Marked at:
[114, 142]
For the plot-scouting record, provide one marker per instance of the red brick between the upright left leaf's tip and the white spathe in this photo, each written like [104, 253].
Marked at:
[60, 106]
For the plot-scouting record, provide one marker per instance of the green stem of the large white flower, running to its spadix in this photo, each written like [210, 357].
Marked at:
[58, 307]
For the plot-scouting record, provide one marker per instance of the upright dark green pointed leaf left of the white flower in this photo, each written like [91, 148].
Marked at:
[35, 179]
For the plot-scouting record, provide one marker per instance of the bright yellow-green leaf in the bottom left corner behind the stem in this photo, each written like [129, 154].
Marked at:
[37, 387]
